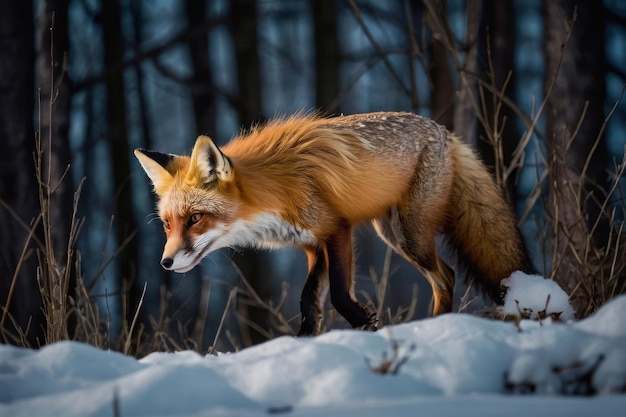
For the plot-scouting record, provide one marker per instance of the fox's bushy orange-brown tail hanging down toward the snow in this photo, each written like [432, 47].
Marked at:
[482, 227]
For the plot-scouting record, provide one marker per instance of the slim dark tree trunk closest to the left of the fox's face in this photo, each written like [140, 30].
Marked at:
[125, 222]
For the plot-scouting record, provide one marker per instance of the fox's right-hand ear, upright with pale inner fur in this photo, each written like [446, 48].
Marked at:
[208, 163]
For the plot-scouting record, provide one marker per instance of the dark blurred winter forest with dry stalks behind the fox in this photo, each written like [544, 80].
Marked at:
[536, 86]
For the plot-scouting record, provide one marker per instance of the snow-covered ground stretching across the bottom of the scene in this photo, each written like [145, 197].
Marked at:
[452, 365]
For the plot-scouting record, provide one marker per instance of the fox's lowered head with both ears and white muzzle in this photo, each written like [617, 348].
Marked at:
[197, 201]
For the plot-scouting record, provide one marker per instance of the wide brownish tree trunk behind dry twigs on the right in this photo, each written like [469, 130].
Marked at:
[580, 82]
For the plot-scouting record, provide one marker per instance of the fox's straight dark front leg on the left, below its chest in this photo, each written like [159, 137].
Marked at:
[310, 300]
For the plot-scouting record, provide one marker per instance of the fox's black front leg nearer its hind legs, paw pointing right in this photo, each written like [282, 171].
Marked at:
[340, 273]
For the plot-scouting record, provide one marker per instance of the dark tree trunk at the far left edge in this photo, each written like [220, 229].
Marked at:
[19, 204]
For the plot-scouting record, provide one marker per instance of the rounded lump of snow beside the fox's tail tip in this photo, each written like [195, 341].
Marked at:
[535, 297]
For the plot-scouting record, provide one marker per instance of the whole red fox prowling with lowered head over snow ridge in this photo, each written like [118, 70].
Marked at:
[308, 181]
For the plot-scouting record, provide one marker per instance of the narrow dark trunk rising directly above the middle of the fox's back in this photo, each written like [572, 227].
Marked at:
[326, 55]
